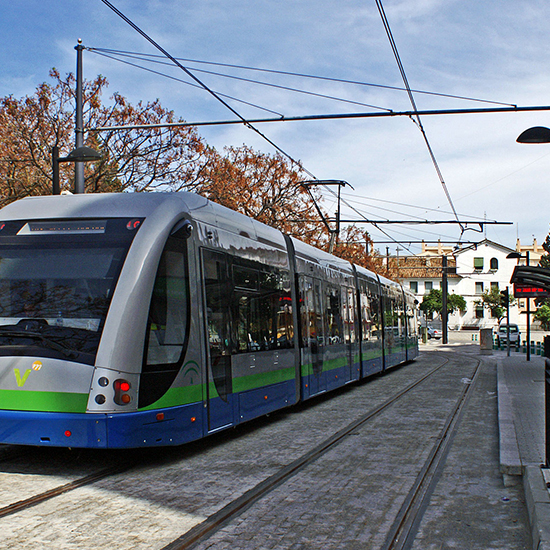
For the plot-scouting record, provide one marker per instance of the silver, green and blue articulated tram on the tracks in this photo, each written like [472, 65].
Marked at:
[150, 319]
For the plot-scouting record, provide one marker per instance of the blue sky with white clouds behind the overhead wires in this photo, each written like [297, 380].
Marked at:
[495, 50]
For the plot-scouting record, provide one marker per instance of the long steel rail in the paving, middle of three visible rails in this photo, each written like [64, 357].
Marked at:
[232, 510]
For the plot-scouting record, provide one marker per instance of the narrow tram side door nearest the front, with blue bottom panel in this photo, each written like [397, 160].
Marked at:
[217, 299]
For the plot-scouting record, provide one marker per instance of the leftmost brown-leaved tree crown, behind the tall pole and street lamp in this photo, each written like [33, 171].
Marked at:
[136, 160]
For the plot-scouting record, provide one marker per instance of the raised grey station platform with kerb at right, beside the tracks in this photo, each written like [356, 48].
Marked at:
[521, 412]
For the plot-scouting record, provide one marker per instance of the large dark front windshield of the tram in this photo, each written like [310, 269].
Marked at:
[56, 284]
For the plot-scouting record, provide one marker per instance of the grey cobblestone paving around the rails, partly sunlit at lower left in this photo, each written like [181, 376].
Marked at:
[346, 499]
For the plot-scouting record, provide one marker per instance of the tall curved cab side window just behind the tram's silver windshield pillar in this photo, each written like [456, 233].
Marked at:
[169, 310]
